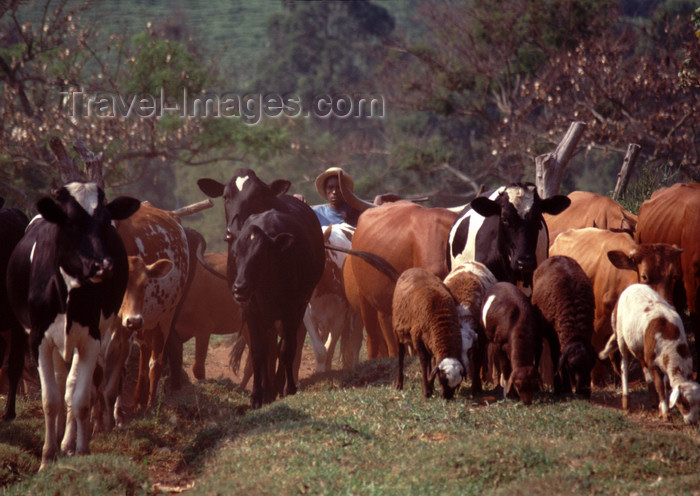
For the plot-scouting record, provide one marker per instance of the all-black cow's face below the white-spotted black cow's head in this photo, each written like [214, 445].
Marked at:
[255, 255]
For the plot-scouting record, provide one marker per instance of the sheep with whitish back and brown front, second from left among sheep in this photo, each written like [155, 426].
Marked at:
[468, 283]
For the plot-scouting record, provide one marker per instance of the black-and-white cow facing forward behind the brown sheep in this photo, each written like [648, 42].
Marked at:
[505, 231]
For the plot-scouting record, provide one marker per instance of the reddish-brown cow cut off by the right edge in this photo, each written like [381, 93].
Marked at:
[672, 215]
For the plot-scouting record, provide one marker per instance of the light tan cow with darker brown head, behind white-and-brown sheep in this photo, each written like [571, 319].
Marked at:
[613, 261]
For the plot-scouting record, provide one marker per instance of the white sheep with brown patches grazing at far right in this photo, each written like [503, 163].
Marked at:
[648, 328]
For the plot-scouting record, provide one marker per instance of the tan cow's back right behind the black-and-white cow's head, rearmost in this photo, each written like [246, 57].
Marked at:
[590, 210]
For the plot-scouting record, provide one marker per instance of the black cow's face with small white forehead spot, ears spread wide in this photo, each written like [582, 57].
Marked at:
[244, 195]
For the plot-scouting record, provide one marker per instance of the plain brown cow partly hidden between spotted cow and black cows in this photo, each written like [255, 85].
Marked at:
[207, 308]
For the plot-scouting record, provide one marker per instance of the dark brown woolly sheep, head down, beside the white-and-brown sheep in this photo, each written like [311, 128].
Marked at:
[563, 296]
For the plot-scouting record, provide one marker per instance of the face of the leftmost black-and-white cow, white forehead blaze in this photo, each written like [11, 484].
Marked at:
[84, 223]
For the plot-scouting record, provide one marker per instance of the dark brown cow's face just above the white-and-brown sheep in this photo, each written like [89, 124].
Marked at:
[656, 264]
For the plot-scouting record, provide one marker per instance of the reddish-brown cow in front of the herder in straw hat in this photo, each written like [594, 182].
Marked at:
[406, 235]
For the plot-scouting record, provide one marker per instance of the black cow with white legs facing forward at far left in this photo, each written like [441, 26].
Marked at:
[66, 279]
